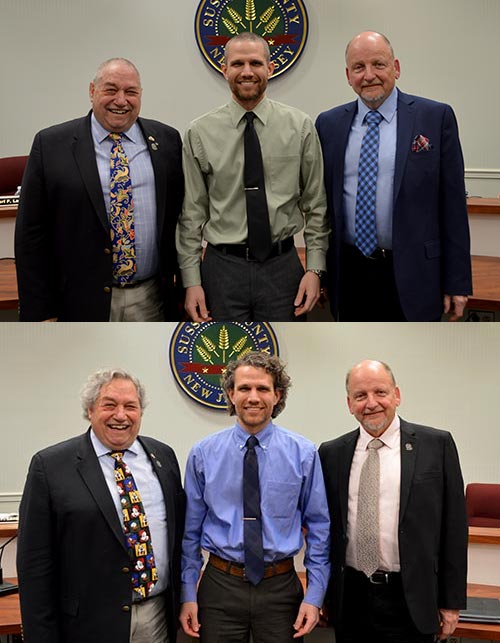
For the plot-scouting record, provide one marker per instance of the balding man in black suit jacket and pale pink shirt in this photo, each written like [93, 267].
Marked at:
[420, 583]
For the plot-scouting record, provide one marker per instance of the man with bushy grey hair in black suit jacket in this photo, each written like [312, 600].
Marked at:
[75, 574]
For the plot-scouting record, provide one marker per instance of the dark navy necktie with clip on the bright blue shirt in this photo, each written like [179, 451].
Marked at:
[252, 523]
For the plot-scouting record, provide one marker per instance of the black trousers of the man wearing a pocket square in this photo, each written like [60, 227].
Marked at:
[367, 287]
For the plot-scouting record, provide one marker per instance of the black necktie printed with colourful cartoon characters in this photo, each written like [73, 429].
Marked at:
[137, 533]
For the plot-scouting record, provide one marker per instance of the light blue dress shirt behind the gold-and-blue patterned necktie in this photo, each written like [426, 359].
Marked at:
[143, 191]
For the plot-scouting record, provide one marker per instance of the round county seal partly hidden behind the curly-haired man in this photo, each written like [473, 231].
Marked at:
[199, 353]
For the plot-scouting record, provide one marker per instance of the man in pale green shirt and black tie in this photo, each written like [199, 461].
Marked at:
[232, 283]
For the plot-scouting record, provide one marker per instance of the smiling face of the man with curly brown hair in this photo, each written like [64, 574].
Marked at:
[254, 397]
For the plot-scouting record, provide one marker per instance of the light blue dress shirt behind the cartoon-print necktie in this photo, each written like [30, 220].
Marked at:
[153, 502]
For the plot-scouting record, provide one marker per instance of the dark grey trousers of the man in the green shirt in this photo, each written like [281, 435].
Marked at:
[241, 290]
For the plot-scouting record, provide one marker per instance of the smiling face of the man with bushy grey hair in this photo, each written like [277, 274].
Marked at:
[116, 414]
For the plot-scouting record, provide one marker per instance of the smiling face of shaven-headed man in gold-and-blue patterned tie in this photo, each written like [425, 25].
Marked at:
[116, 96]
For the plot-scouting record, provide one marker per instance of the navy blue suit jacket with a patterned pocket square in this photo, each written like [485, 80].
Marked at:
[430, 232]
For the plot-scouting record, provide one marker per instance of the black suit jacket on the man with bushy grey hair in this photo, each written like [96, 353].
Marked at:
[72, 558]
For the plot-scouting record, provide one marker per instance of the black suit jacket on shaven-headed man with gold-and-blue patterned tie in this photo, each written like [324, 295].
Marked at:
[62, 239]
